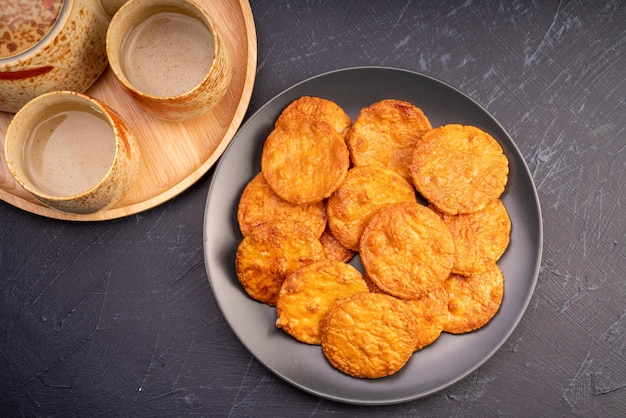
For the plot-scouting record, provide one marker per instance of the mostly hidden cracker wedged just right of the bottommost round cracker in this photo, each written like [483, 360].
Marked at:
[430, 312]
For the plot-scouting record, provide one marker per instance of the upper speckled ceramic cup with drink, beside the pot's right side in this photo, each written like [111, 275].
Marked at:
[169, 57]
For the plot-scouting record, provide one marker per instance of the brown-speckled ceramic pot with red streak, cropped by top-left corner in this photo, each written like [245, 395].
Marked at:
[49, 45]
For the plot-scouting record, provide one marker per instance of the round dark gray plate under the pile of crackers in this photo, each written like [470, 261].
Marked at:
[451, 357]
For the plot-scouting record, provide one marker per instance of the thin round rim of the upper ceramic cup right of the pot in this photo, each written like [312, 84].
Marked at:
[119, 73]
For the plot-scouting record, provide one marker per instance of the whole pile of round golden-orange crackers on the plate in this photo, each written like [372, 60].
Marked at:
[419, 205]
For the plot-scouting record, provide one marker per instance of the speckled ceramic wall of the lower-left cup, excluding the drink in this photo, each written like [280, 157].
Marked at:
[109, 190]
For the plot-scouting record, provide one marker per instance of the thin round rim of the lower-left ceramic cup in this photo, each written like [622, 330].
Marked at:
[27, 184]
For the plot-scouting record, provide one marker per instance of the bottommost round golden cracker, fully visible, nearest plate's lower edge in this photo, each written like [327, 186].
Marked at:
[368, 335]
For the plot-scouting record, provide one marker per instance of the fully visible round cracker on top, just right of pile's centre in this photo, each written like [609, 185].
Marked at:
[407, 250]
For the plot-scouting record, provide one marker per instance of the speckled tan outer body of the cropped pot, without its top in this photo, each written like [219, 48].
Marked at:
[71, 57]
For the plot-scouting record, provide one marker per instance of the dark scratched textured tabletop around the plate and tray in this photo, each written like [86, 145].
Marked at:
[117, 318]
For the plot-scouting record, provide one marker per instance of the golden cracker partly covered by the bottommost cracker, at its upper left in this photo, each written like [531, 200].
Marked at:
[309, 293]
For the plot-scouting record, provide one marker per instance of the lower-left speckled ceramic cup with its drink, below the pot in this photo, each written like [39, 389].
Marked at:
[71, 152]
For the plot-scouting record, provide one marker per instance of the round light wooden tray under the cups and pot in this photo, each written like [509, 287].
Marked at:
[174, 155]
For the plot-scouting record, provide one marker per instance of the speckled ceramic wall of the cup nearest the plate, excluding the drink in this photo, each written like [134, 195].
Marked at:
[185, 106]
